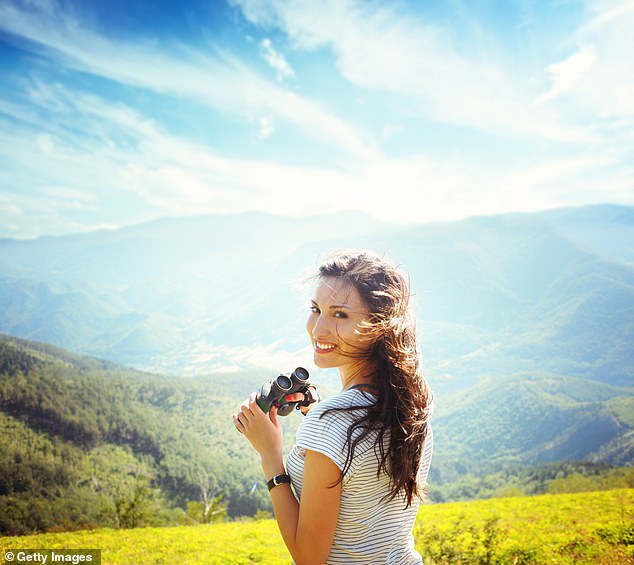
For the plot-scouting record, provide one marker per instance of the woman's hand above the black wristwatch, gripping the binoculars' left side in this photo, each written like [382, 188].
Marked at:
[263, 431]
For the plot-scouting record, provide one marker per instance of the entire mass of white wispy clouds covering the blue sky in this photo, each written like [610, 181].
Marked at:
[87, 145]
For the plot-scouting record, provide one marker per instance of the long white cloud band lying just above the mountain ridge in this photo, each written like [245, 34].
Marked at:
[174, 176]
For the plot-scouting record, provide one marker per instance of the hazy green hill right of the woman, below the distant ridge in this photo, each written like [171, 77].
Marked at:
[533, 419]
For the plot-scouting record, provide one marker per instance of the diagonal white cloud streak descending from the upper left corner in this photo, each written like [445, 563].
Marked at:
[221, 82]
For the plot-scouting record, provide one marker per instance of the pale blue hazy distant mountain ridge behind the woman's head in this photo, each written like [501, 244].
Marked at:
[546, 292]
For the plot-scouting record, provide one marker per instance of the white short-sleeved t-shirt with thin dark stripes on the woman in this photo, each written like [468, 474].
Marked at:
[369, 529]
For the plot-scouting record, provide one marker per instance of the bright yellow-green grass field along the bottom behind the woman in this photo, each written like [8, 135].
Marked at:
[595, 527]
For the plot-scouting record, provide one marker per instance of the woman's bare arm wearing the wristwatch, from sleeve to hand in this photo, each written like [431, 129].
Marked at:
[307, 528]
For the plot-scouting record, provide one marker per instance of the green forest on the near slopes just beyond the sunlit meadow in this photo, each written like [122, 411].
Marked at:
[87, 443]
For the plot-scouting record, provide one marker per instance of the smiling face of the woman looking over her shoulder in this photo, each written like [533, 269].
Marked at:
[334, 324]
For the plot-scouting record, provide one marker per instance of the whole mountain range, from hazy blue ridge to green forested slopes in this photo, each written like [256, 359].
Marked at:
[526, 324]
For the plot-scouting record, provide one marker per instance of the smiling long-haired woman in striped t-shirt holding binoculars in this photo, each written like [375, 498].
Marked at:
[361, 458]
